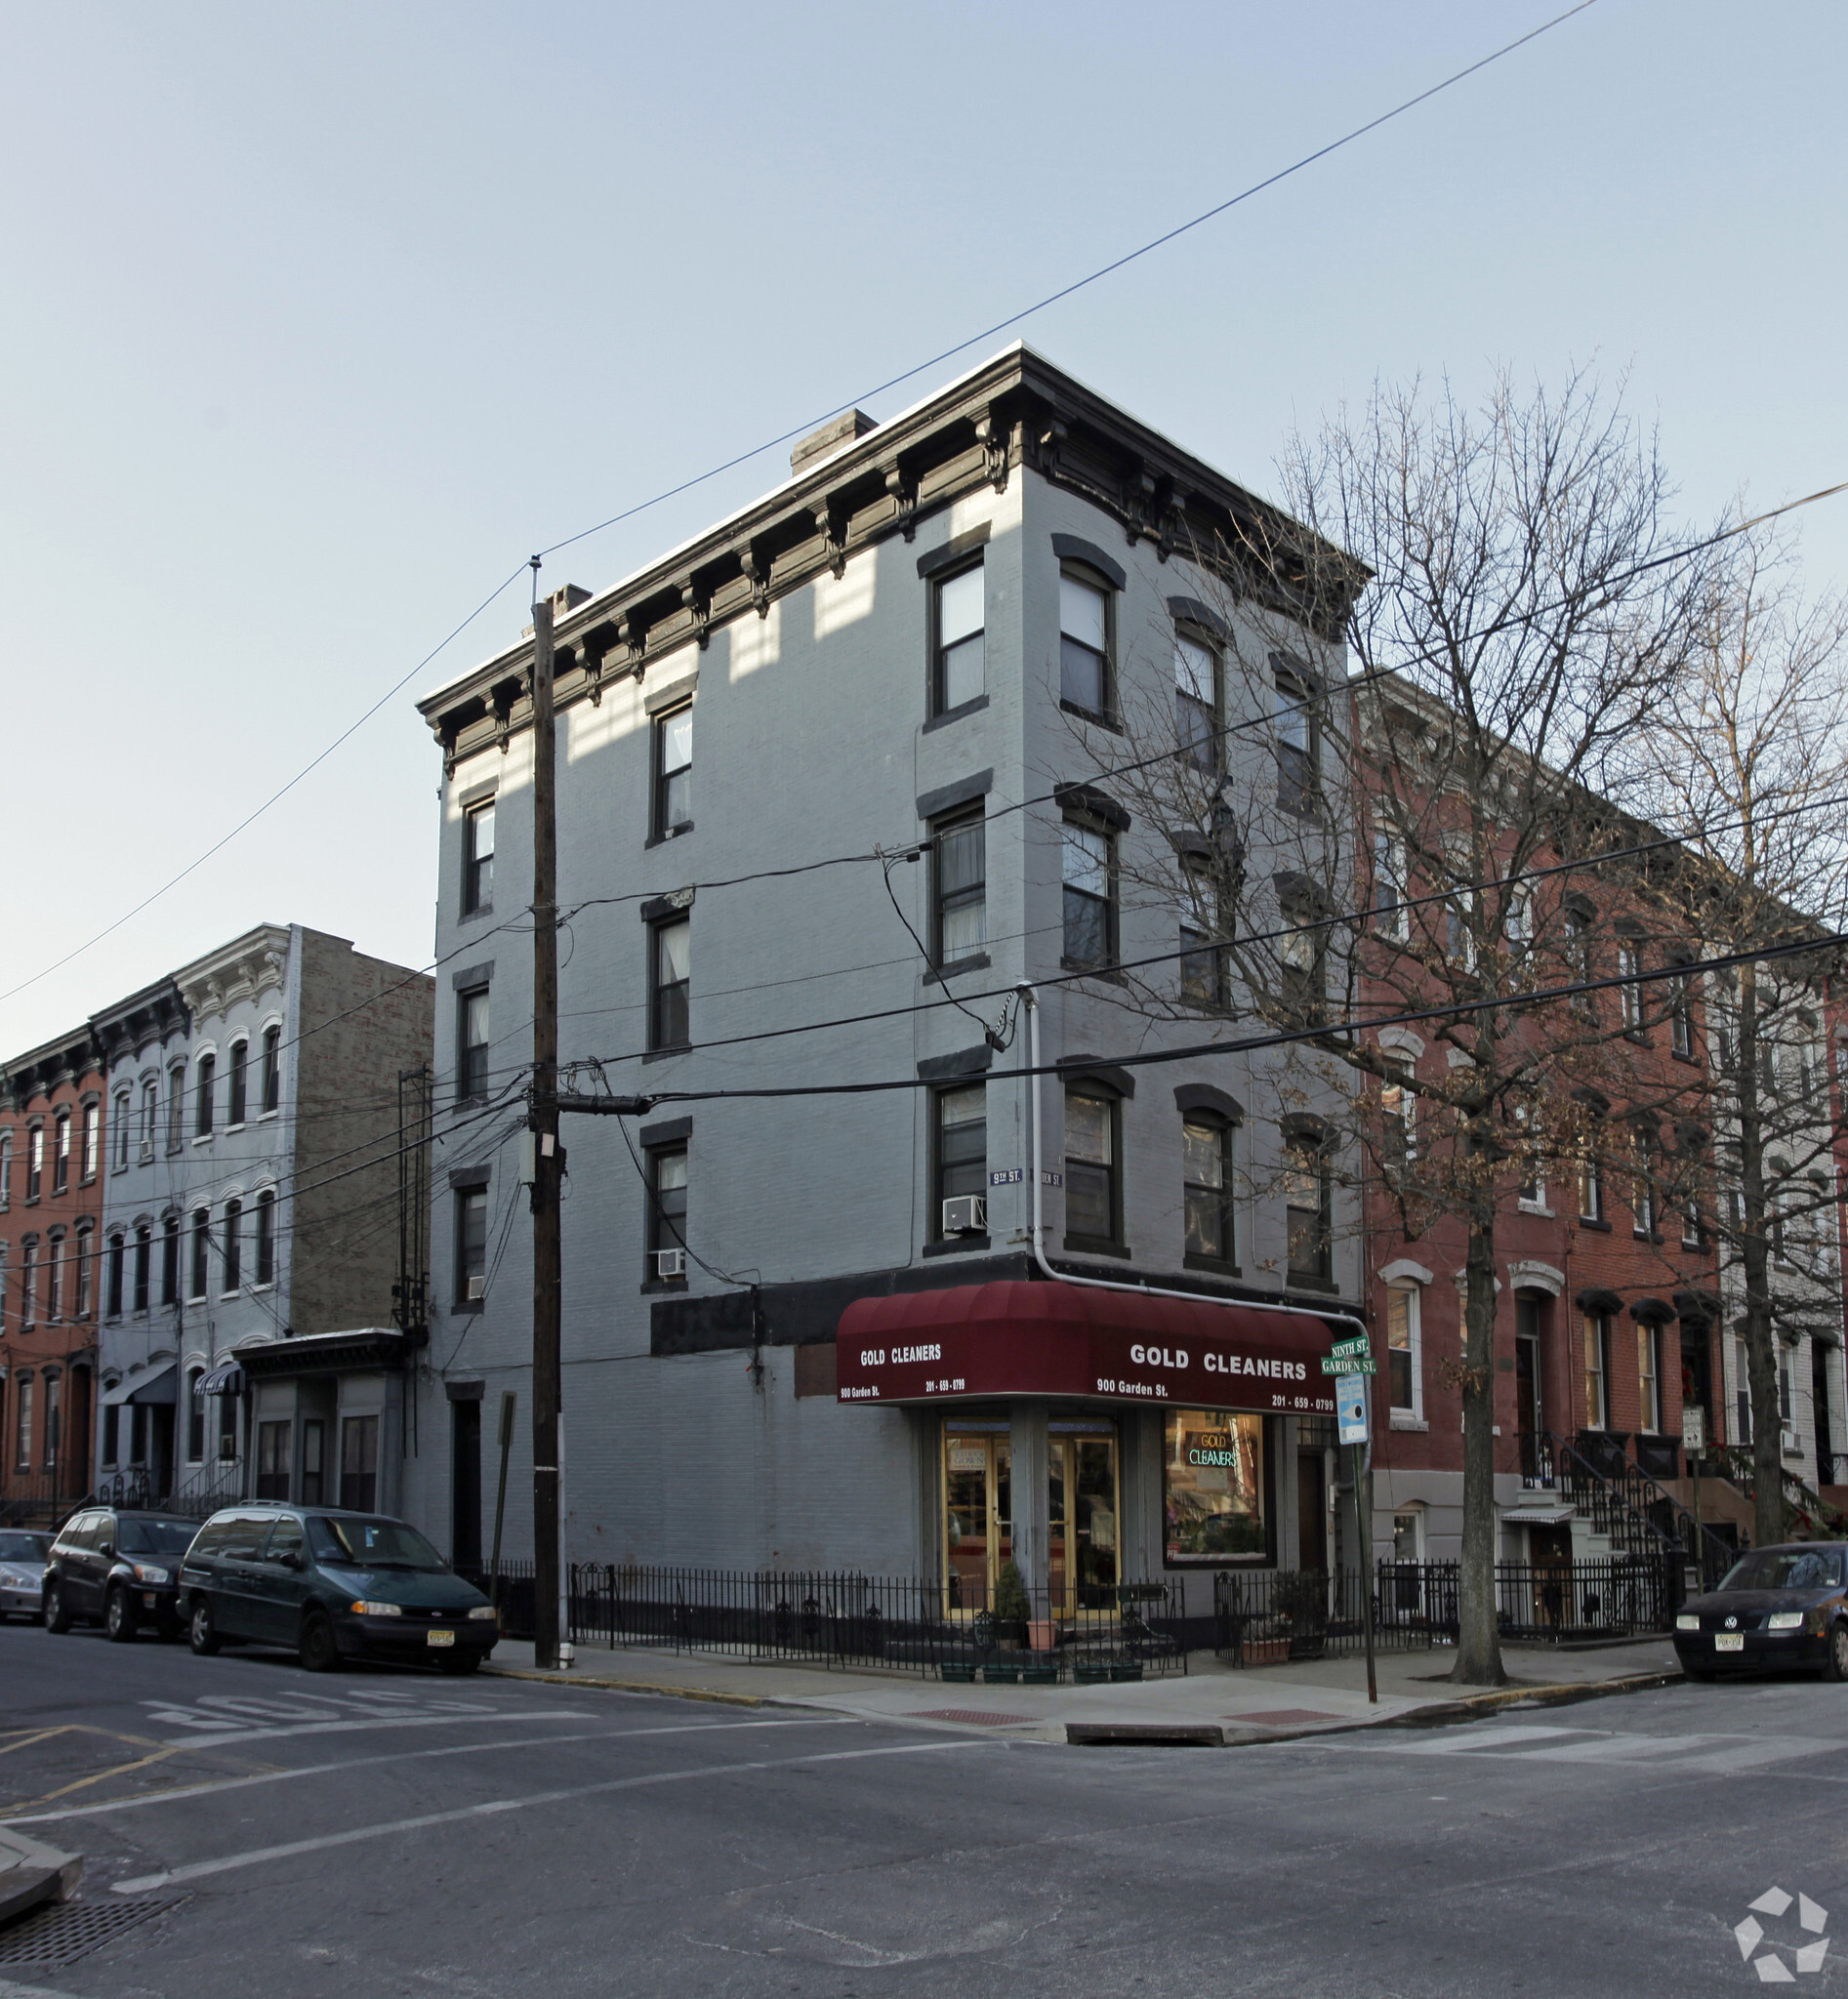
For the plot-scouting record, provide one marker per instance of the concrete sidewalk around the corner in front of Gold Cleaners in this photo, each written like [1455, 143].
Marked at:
[1257, 1704]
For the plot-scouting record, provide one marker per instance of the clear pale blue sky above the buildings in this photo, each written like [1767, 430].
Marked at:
[317, 321]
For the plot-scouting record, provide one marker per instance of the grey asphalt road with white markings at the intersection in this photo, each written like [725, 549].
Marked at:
[393, 1832]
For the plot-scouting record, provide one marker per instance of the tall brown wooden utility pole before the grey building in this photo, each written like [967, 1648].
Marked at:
[545, 1146]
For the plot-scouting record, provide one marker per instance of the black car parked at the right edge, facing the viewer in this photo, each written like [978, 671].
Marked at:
[1777, 1608]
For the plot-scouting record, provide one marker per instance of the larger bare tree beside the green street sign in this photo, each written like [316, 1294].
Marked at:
[1429, 833]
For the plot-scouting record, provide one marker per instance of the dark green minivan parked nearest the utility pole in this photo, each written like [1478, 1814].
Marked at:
[331, 1586]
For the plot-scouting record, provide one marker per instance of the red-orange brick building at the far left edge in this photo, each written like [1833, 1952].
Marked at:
[51, 1212]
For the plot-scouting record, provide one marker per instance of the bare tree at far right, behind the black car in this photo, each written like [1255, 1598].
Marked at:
[1749, 769]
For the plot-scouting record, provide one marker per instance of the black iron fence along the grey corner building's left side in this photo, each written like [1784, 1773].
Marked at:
[905, 1624]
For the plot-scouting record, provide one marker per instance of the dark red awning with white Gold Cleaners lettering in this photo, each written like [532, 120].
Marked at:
[985, 1340]
